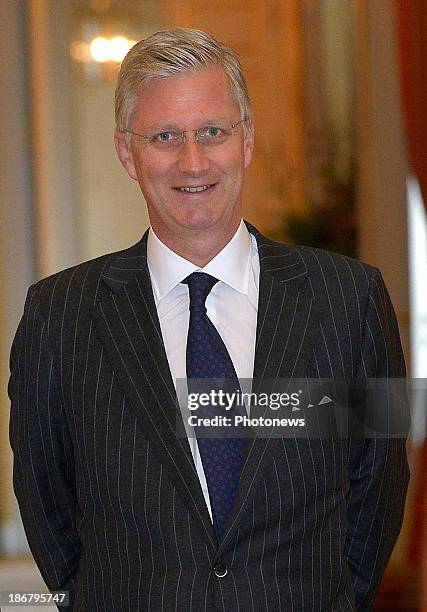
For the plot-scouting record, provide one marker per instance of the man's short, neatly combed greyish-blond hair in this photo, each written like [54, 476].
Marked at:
[170, 52]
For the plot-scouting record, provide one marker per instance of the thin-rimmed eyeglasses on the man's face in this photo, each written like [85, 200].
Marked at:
[207, 136]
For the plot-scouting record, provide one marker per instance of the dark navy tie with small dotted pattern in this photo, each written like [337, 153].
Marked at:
[207, 358]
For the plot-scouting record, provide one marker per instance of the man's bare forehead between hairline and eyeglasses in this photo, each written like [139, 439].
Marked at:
[186, 99]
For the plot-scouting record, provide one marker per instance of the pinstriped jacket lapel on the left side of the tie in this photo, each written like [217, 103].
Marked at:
[126, 320]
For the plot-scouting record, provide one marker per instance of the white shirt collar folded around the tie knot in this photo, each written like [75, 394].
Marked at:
[231, 265]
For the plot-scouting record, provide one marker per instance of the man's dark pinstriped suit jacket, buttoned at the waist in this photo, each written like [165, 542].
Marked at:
[108, 493]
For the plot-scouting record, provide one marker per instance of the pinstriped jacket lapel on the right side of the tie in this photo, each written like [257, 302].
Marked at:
[286, 325]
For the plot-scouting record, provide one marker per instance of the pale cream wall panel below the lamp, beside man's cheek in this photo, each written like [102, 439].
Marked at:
[112, 211]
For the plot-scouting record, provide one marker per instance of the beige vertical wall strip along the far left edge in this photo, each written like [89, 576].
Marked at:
[16, 234]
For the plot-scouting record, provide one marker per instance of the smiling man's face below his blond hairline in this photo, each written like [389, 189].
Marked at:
[188, 101]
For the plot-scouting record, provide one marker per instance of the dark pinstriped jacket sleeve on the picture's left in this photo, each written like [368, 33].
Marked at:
[43, 470]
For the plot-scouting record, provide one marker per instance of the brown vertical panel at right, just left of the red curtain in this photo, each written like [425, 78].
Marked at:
[382, 214]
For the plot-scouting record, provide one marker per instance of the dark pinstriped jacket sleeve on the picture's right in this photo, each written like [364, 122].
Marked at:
[378, 469]
